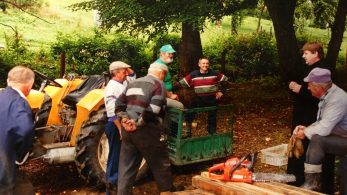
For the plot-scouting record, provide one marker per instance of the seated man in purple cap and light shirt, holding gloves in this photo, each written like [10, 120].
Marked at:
[328, 135]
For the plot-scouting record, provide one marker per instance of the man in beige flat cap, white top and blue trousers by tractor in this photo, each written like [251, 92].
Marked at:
[121, 73]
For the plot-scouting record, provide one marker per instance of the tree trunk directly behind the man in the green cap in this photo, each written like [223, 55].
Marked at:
[190, 49]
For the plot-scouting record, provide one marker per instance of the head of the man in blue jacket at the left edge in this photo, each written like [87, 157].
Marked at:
[21, 78]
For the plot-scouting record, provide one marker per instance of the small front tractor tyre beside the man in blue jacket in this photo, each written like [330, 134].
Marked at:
[41, 116]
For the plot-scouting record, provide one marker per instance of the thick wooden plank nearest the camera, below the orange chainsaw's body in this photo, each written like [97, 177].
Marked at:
[223, 188]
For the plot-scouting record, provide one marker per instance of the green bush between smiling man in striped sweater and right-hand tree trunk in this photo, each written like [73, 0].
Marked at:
[246, 56]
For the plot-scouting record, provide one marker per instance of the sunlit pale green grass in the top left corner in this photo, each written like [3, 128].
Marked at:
[38, 33]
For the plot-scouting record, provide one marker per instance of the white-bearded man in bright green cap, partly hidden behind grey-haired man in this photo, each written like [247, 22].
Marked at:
[166, 57]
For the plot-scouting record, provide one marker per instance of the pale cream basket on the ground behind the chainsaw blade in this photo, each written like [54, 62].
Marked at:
[276, 155]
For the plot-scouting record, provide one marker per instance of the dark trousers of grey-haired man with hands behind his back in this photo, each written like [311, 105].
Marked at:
[144, 142]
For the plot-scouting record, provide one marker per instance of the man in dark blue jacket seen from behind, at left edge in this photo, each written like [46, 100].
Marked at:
[16, 131]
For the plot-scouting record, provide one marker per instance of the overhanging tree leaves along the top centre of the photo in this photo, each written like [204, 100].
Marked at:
[156, 17]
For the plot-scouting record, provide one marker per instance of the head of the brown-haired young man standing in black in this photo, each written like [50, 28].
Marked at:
[312, 52]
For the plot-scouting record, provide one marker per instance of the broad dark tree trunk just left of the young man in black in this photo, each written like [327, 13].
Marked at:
[282, 14]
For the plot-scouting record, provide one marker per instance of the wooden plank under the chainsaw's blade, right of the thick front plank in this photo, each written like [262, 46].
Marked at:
[286, 189]
